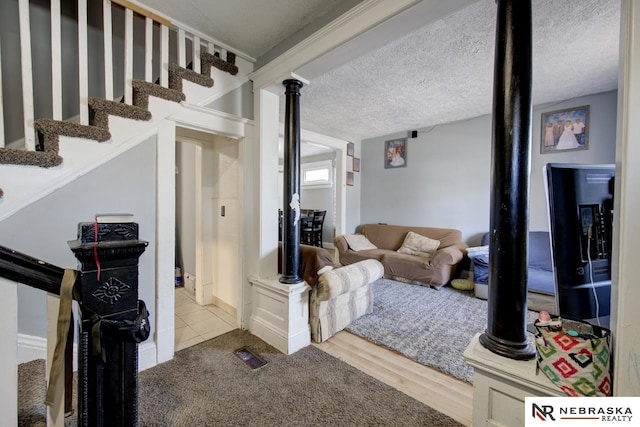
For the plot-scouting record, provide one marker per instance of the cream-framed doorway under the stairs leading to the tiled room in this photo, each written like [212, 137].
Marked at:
[208, 229]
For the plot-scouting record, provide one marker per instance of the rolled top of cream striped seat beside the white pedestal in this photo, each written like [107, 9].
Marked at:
[345, 279]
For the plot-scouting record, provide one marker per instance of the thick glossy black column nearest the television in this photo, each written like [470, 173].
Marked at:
[511, 165]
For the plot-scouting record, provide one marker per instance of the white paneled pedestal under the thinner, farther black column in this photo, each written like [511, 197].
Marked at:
[280, 314]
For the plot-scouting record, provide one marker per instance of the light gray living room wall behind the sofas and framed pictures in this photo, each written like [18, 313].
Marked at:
[446, 182]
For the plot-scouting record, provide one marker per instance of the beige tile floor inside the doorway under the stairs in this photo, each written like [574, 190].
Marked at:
[197, 323]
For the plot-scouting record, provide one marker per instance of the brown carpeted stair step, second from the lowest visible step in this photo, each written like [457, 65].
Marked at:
[49, 132]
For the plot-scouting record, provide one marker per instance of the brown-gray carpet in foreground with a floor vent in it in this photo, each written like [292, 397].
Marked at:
[207, 385]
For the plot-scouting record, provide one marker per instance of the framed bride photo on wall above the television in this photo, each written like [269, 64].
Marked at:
[565, 130]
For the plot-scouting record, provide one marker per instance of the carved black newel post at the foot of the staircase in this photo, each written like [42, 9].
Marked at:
[113, 321]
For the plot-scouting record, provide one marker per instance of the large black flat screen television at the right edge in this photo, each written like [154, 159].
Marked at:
[580, 202]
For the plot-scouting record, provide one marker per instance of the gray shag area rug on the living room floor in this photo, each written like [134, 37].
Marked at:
[432, 327]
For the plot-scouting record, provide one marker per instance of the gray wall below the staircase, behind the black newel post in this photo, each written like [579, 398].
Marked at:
[42, 229]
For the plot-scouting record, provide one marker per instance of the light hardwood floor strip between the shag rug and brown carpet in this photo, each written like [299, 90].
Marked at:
[433, 388]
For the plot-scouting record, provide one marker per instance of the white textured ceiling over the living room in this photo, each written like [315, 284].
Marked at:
[443, 72]
